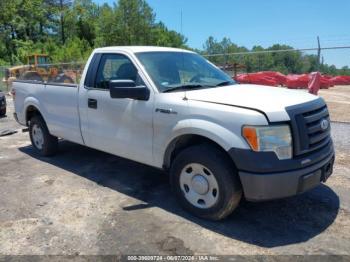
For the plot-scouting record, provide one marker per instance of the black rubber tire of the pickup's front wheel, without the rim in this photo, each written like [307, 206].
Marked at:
[229, 186]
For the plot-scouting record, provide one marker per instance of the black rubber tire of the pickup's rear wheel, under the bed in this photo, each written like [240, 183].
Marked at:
[50, 143]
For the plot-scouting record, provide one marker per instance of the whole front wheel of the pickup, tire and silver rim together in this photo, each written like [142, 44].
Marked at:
[205, 182]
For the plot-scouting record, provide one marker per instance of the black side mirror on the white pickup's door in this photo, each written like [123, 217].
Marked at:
[128, 89]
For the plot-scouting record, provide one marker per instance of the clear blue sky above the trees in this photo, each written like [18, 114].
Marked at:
[261, 22]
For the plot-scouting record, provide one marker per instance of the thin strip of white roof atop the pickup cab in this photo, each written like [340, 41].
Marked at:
[138, 49]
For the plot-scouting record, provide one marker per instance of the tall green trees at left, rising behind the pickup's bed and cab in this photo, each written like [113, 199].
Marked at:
[68, 30]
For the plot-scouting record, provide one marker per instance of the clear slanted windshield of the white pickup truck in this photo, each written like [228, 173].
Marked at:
[172, 71]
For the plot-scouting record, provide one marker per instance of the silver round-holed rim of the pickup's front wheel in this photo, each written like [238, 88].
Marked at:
[199, 185]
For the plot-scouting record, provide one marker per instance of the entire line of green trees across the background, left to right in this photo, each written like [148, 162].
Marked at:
[69, 30]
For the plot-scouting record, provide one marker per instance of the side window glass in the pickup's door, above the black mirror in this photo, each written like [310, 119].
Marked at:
[115, 67]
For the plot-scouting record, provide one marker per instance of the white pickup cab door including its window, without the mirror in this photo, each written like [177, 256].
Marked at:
[118, 126]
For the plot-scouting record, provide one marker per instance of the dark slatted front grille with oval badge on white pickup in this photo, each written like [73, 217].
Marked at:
[306, 121]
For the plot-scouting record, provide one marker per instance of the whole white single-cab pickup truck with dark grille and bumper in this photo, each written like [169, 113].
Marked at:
[174, 110]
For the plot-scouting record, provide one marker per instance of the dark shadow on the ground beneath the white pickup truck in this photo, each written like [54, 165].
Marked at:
[267, 224]
